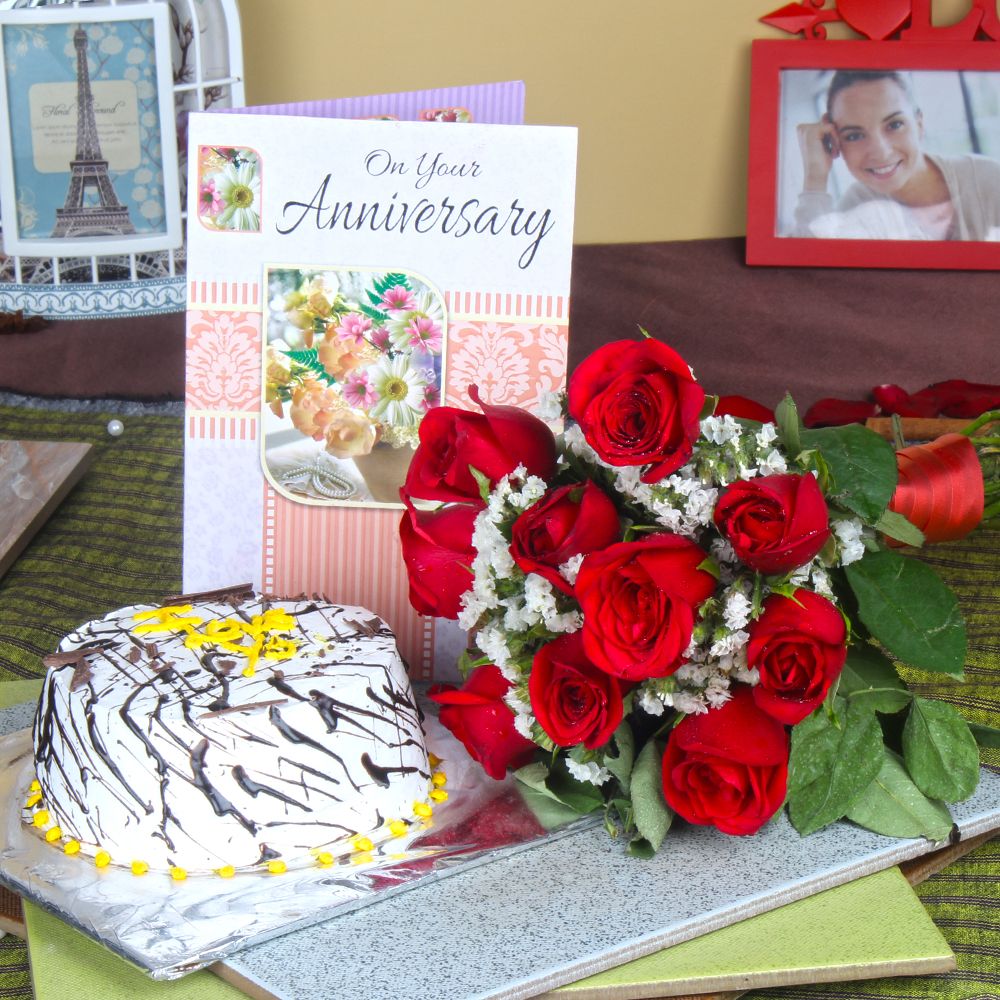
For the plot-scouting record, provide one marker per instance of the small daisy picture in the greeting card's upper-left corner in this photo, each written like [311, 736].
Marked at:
[229, 188]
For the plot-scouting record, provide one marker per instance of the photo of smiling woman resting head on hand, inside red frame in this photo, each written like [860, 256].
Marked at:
[880, 154]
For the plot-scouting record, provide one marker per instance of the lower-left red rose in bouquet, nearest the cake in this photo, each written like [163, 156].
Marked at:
[477, 716]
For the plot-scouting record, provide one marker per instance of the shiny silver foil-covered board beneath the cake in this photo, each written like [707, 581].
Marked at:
[169, 929]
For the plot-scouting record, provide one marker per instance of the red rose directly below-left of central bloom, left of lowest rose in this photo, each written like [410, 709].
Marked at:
[573, 701]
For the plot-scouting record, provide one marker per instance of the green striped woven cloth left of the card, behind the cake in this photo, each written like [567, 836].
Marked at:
[115, 540]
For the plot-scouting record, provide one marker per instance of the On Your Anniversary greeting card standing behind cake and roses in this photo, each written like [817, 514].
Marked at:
[344, 277]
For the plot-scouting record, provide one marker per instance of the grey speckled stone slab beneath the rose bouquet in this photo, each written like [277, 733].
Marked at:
[558, 912]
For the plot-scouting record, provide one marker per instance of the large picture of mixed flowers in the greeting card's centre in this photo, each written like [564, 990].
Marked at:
[354, 359]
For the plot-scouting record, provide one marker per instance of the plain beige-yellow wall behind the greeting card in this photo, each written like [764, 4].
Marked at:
[658, 88]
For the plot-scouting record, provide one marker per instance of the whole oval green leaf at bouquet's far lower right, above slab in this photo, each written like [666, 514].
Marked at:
[940, 751]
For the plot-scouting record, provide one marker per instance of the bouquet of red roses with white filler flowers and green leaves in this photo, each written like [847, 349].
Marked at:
[681, 612]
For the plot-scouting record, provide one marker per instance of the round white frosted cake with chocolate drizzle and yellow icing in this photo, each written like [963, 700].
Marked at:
[229, 734]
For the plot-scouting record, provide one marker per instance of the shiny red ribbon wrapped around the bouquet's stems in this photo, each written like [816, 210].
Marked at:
[940, 487]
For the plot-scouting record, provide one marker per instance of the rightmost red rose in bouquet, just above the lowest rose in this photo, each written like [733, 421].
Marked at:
[799, 645]
